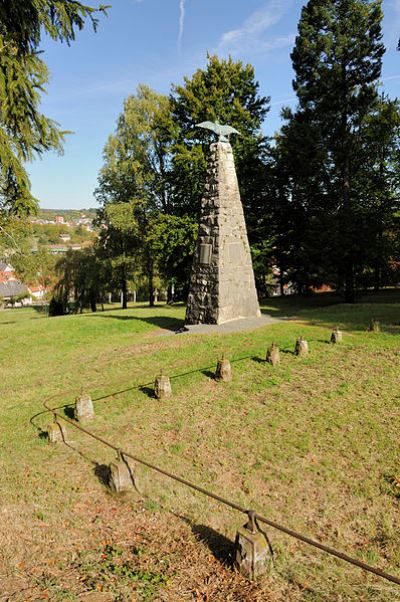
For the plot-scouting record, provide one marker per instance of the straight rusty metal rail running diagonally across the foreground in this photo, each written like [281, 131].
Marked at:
[218, 498]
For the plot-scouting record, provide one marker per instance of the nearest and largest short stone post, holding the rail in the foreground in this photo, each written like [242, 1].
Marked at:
[252, 550]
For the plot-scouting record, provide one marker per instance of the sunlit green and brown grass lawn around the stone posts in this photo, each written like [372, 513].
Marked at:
[312, 444]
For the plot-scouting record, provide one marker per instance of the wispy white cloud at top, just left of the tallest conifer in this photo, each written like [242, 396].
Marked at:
[249, 38]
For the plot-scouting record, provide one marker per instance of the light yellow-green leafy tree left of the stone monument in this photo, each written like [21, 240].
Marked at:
[135, 191]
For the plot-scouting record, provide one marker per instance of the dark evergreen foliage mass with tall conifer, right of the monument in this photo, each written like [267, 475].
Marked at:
[332, 185]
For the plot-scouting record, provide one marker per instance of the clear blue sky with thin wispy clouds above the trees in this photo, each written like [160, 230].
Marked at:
[157, 42]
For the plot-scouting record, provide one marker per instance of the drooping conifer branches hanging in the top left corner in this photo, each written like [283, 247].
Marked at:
[24, 131]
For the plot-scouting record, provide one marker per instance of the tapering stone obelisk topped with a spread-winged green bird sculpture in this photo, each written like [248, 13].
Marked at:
[222, 286]
